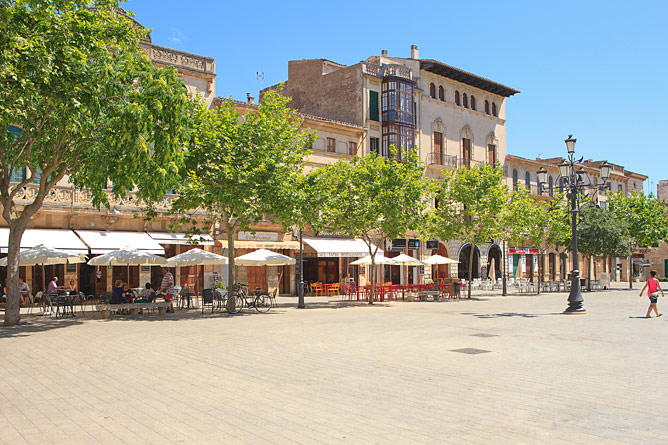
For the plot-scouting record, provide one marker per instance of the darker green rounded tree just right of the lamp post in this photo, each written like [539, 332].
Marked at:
[601, 233]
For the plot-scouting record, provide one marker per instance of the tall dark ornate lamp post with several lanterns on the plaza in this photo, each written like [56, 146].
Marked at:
[574, 182]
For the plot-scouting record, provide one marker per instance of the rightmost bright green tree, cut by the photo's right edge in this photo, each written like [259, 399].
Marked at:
[646, 217]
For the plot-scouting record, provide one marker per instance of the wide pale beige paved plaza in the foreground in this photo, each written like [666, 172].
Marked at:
[341, 372]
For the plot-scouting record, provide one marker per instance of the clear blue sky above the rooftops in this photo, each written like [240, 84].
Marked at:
[595, 69]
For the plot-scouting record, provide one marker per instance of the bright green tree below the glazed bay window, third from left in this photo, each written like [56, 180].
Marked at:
[373, 198]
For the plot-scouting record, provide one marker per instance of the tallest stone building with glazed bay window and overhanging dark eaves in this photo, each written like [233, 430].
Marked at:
[454, 117]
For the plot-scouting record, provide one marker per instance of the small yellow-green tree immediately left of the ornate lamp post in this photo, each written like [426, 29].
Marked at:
[536, 223]
